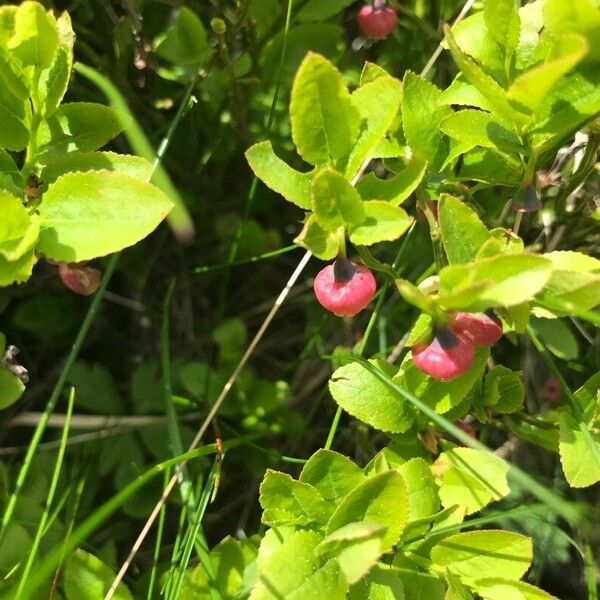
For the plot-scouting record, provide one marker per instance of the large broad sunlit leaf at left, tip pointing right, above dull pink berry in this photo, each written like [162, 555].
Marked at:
[85, 215]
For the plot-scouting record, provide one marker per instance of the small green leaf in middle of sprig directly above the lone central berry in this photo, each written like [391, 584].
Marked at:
[335, 202]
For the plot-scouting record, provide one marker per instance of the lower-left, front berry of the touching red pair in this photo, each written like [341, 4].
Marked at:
[446, 357]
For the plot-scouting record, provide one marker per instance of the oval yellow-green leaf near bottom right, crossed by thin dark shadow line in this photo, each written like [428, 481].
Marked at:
[477, 554]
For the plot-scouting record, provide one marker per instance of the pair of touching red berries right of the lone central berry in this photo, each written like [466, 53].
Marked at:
[451, 351]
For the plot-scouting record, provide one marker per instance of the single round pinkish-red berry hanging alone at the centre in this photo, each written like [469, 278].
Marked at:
[344, 288]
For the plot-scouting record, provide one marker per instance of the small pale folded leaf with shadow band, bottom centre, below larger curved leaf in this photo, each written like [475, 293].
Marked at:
[356, 547]
